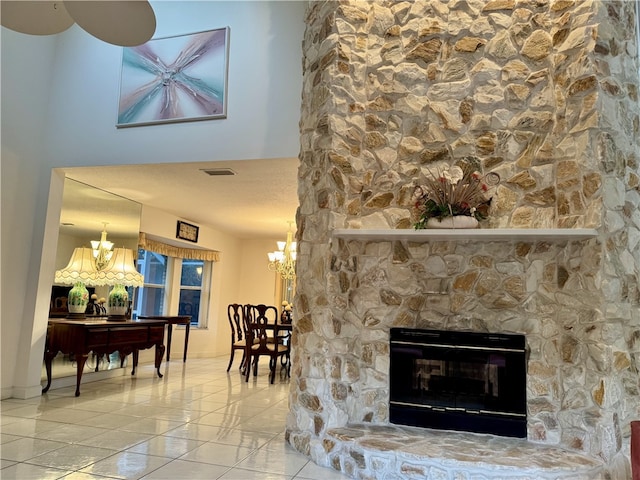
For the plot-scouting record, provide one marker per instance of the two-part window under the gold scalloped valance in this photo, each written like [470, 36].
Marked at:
[174, 286]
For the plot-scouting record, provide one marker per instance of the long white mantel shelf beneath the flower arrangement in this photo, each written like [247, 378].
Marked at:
[478, 234]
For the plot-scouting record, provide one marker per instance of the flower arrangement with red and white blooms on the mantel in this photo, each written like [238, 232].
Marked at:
[454, 191]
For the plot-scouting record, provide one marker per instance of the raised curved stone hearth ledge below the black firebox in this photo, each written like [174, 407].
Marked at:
[362, 451]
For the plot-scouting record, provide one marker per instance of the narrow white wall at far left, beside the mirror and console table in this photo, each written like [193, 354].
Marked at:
[24, 191]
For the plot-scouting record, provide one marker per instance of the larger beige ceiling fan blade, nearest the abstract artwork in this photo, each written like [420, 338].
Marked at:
[123, 23]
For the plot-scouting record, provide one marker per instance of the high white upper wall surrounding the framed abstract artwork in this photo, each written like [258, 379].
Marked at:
[264, 86]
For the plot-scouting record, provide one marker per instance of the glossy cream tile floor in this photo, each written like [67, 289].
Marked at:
[198, 422]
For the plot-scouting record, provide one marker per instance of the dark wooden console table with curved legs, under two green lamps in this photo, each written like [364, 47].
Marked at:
[102, 337]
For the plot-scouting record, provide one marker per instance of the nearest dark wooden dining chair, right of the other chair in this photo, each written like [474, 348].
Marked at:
[262, 328]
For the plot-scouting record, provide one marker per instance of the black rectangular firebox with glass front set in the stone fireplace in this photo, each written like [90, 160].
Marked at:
[455, 380]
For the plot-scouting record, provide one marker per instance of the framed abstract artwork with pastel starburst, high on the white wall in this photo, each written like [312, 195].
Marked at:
[175, 79]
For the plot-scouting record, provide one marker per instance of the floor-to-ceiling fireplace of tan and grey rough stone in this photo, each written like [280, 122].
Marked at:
[542, 92]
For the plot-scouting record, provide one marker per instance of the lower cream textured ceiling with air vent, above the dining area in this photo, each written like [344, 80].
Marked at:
[258, 201]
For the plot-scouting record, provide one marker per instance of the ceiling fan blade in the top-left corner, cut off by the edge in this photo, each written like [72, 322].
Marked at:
[35, 18]
